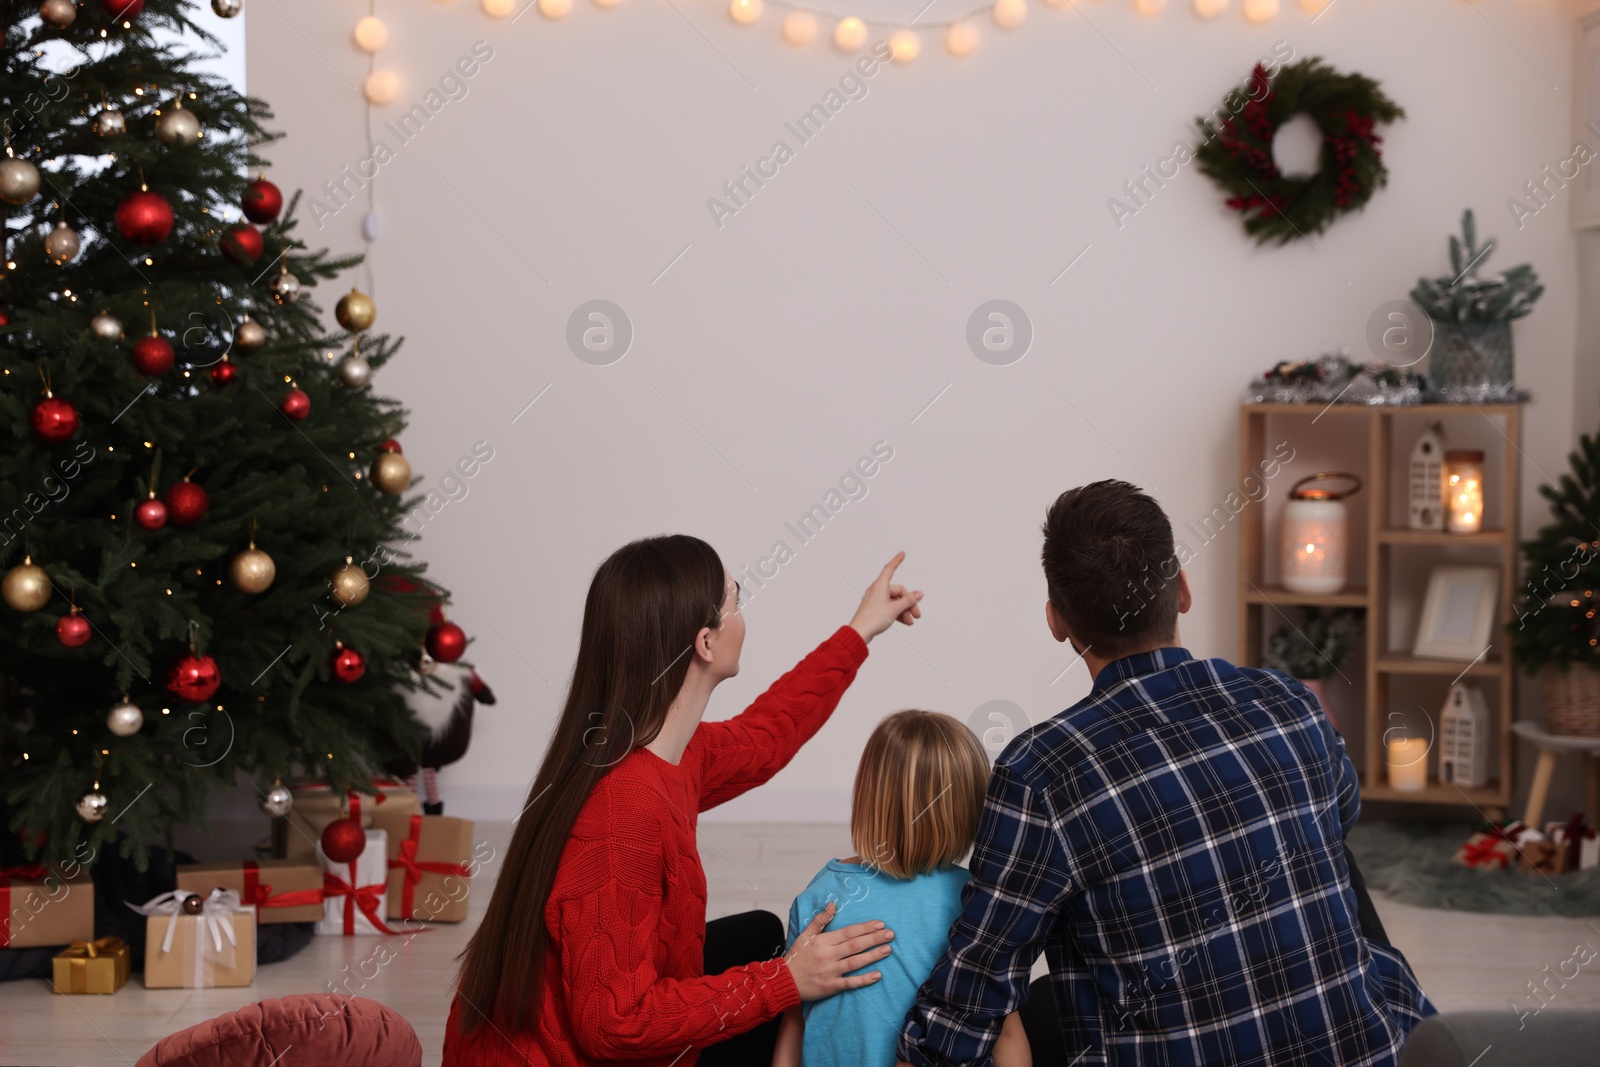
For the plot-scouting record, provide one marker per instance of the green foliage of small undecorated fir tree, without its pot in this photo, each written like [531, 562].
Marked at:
[1558, 621]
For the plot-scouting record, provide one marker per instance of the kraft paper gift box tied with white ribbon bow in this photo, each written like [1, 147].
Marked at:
[212, 949]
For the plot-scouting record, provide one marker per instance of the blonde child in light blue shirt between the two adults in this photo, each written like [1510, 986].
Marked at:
[914, 813]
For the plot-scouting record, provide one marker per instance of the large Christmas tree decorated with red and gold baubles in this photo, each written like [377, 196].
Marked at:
[199, 495]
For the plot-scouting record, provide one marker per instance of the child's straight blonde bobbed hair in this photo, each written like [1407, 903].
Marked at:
[919, 794]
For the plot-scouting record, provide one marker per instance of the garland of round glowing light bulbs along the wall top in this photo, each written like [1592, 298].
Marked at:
[801, 26]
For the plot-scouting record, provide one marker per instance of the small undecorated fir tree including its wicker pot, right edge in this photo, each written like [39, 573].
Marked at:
[1556, 631]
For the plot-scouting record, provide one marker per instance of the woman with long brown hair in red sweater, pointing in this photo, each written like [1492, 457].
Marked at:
[596, 948]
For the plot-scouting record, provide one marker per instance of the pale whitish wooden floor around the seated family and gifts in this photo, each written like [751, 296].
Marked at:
[1465, 961]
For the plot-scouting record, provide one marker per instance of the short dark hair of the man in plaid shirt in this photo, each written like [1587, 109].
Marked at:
[1111, 569]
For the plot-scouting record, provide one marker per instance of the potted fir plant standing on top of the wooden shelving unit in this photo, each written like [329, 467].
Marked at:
[1473, 318]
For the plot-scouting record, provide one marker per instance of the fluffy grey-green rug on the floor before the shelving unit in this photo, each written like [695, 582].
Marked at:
[1414, 865]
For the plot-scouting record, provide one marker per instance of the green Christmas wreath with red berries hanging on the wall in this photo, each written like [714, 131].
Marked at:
[1239, 153]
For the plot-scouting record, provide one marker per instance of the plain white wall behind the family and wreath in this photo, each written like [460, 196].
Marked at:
[831, 311]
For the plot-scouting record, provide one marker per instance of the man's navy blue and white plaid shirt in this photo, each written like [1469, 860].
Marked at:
[1174, 844]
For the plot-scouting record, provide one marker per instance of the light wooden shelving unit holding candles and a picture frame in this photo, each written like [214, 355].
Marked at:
[1374, 591]
